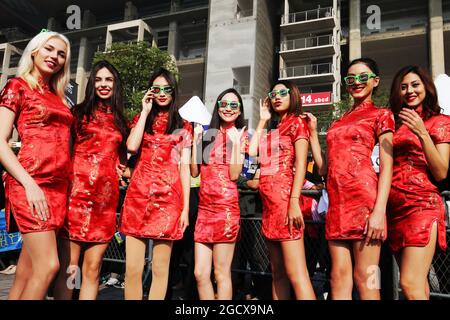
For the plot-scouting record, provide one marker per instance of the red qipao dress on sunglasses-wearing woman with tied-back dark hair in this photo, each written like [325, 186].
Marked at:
[352, 182]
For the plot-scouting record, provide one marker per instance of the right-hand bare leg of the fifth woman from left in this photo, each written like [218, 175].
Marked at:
[296, 269]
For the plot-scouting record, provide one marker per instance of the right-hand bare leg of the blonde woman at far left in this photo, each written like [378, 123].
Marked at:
[41, 247]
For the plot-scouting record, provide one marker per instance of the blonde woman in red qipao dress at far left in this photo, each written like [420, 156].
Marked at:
[38, 178]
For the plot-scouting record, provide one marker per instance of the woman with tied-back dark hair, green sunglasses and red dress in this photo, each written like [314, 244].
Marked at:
[355, 222]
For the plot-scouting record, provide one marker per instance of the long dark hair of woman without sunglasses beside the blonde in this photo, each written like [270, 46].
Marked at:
[86, 108]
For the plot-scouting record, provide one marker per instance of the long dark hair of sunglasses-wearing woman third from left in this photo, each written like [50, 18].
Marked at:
[175, 120]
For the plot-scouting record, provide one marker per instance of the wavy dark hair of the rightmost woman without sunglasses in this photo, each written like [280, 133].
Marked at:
[430, 104]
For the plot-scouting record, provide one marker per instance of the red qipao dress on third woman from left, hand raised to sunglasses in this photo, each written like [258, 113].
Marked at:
[154, 199]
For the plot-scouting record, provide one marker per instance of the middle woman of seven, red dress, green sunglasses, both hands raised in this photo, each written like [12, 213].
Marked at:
[217, 226]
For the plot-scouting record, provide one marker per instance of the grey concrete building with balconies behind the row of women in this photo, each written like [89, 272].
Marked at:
[246, 44]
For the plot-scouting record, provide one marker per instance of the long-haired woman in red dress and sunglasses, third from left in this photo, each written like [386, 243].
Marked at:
[156, 205]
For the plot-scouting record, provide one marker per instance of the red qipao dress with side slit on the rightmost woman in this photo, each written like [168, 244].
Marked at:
[415, 203]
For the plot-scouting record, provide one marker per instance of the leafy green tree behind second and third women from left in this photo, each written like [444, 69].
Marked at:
[135, 62]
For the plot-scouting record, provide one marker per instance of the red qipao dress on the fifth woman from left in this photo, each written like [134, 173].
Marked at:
[277, 156]
